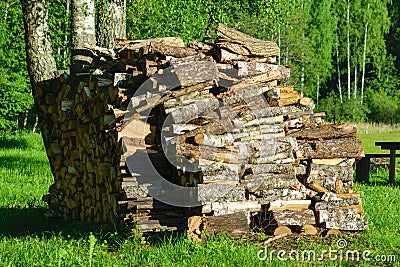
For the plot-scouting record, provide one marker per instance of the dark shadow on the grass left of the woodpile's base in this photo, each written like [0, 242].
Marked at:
[16, 222]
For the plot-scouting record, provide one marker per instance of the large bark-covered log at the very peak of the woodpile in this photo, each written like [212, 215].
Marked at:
[243, 44]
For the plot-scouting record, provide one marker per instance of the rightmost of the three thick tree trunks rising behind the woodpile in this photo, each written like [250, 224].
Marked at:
[111, 23]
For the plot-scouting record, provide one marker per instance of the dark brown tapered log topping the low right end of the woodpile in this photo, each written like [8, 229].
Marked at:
[324, 131]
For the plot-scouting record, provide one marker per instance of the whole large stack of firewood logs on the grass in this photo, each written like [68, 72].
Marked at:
[218, 118]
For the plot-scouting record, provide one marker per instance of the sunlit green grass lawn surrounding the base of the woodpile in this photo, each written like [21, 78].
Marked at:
[27, 239]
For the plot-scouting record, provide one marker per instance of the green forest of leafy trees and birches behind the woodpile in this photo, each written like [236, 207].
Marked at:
[345, 54]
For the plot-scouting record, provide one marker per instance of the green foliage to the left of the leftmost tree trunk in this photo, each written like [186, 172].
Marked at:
[15, 98]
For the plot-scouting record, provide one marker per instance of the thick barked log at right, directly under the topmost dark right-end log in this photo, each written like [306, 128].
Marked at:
[327, 149]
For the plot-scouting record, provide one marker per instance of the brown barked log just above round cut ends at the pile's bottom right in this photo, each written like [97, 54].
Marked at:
[291, 217]
